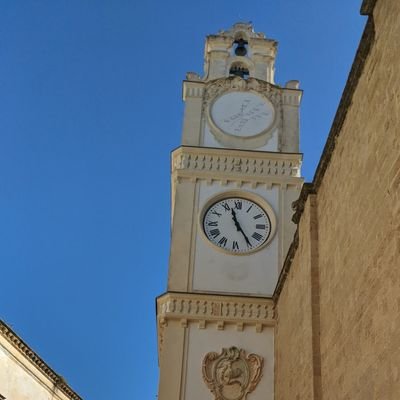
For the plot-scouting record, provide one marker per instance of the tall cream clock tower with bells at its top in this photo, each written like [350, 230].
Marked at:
[233, 182]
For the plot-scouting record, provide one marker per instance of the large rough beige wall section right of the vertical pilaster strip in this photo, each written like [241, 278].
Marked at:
[359, 246]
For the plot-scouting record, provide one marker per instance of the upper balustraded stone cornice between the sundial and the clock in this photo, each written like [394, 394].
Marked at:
[254, 167]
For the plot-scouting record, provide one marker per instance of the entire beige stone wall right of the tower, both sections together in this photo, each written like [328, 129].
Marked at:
[357, 255]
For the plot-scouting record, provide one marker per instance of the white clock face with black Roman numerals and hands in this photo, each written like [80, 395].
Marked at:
[237, 225]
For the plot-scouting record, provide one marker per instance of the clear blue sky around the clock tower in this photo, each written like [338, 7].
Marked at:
[90, 108]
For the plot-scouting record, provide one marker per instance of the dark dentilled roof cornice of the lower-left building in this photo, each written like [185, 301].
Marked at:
[58, 381]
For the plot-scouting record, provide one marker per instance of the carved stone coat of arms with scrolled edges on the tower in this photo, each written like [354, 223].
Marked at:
[231, 375]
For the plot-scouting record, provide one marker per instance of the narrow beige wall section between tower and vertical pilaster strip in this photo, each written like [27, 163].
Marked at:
[293, 332]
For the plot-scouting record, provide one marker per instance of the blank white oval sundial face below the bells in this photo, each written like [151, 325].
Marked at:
[243, 114]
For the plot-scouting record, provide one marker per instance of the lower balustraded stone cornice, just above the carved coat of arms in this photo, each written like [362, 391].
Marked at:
[213, 310]
